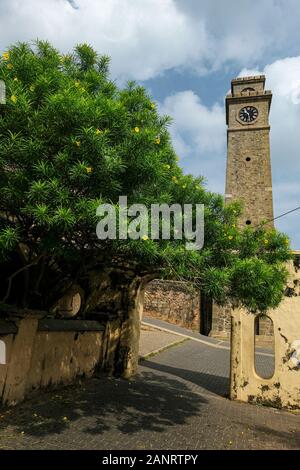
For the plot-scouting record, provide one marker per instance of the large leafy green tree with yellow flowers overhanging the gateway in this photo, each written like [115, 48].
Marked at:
[70, 139]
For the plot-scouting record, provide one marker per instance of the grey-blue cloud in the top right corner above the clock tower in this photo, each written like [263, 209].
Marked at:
[244, 32]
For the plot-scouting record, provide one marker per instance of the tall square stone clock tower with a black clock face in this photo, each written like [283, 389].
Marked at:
[248, 173]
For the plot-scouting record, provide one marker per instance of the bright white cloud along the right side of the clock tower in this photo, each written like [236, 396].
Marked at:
[283, 79]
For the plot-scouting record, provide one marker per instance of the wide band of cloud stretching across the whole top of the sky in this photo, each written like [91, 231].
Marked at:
[147, 37]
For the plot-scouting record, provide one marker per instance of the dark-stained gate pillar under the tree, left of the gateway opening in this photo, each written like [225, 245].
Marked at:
[120, 293]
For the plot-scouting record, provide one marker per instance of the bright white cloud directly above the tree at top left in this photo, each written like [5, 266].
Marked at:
[143, 38]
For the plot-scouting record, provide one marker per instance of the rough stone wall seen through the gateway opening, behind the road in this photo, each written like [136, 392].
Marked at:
[173, 301]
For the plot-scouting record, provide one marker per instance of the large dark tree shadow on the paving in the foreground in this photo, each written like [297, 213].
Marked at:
[150, 401]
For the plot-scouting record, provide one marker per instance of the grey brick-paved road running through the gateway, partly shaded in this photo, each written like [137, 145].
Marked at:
[175, 402]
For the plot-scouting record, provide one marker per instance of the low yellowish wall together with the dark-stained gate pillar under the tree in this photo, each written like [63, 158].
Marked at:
[45, 351]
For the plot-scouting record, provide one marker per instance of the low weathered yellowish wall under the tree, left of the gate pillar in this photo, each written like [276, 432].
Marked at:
[40, 353]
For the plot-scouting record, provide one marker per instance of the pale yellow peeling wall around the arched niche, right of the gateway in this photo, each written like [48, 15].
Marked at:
[282, 390]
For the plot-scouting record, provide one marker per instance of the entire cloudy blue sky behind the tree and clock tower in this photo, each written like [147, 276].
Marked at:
[185, 52]
